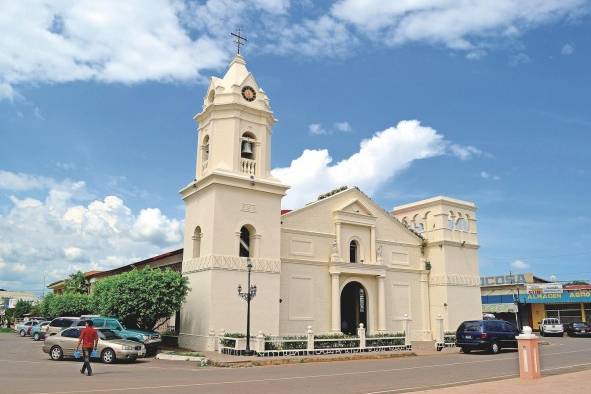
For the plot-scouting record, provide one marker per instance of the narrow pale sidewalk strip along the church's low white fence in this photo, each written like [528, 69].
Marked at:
[224, 360]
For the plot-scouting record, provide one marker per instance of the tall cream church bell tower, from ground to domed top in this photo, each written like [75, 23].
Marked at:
[233, 212]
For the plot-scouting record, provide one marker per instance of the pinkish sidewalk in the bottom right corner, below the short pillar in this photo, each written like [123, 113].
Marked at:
[569, 383]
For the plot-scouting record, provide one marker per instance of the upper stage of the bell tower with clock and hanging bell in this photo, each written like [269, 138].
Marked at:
[235, 126]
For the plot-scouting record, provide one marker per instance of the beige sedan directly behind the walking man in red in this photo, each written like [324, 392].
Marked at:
[110, 346]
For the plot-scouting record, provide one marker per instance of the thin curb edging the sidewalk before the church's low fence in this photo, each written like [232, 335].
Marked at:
[301, 360]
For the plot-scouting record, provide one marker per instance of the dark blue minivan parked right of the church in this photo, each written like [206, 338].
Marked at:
[491, 335]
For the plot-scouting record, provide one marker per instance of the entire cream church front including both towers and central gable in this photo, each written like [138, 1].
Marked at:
[333, 264]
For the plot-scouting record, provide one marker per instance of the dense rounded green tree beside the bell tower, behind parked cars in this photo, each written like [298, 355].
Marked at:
[142, 296]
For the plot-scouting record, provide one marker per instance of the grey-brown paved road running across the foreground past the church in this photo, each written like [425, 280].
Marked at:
[25, 369]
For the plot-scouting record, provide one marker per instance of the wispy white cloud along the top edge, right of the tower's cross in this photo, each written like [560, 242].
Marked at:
[459, 25]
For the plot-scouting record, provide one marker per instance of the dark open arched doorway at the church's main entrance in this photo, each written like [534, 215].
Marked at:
[353, 307]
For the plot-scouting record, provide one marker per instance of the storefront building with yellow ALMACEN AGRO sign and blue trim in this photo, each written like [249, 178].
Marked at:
[527, 299]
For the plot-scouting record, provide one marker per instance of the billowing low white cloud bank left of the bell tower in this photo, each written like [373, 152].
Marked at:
[57, 234]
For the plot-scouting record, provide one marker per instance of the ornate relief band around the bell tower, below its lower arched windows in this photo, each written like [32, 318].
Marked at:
[230, 263]
